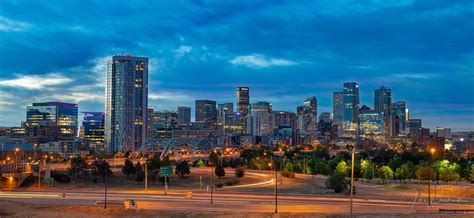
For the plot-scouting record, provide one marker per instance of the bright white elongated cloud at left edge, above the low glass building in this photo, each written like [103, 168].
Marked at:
[35, 81]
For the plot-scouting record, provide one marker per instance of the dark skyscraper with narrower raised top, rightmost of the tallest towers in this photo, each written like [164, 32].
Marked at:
[383, 105]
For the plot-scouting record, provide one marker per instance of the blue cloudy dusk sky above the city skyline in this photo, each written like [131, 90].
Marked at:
[284, 51]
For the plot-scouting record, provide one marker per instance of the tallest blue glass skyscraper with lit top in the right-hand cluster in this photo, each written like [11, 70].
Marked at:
[351, 109]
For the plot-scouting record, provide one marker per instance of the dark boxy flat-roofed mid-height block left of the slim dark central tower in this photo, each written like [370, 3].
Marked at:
[206, 113]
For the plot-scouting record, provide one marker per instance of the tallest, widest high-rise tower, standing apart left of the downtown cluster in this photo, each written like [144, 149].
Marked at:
[126, 102]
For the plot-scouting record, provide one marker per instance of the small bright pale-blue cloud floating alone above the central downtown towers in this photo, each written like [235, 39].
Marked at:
[260, 61]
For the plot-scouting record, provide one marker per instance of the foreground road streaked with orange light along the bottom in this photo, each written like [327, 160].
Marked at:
[236, 202]
